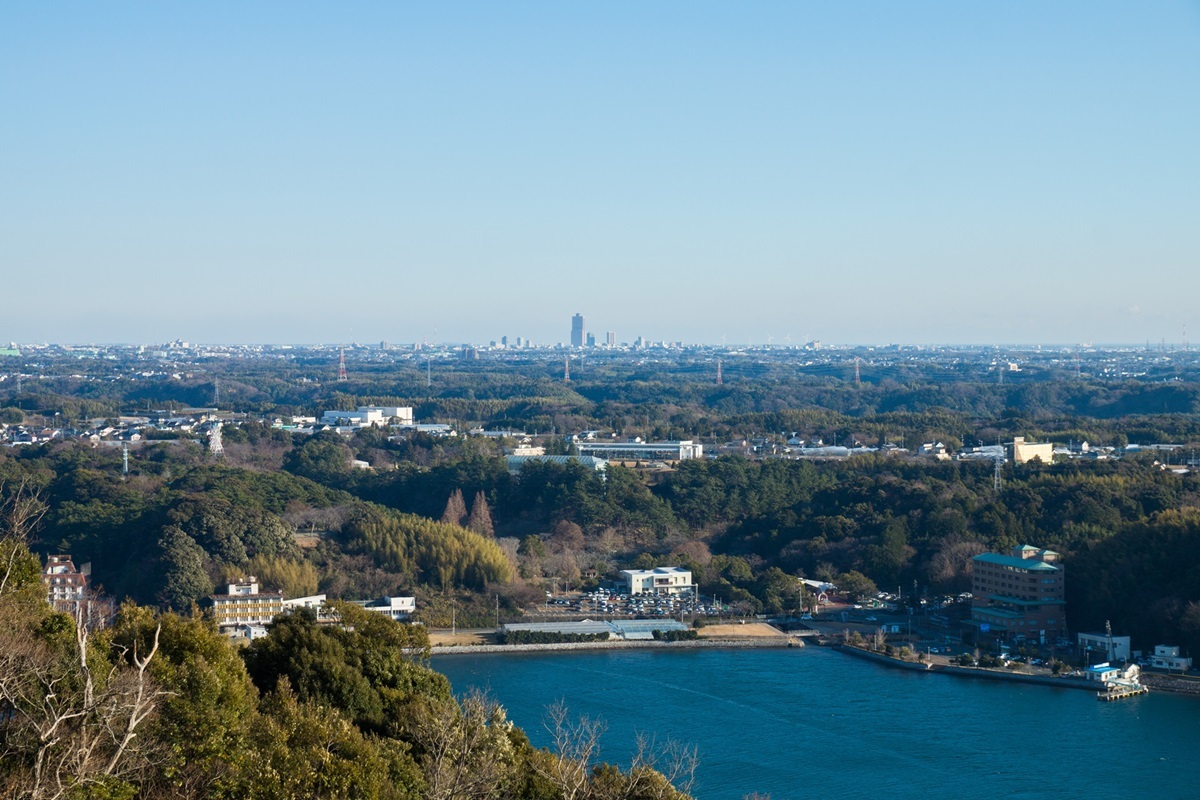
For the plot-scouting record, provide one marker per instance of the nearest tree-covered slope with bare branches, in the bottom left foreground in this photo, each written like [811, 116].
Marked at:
[160, 706]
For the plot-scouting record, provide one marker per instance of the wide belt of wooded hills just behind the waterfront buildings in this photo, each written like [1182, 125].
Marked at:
[179, 526]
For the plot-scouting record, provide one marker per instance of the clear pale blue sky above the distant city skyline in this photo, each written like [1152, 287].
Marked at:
[851, 172]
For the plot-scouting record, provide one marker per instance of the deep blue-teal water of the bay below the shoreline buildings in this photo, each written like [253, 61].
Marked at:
[814, 723]
